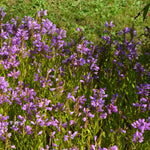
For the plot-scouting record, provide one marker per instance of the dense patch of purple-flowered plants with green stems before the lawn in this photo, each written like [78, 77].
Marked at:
[57, 93]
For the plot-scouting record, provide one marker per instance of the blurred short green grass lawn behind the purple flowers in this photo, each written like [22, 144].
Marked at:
[90, 15]
